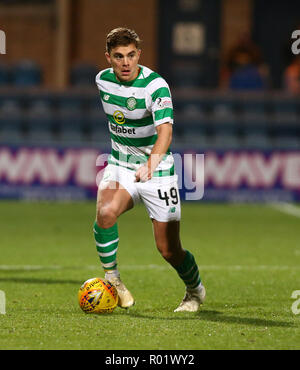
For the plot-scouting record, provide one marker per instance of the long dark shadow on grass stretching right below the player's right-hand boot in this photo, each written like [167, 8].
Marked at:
[217, 316]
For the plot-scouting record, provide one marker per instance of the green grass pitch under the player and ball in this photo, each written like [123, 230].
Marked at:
[248, 257]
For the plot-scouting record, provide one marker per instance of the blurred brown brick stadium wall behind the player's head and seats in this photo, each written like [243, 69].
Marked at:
[33, 31]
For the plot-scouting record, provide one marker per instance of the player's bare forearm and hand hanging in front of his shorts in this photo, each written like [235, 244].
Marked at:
[162, 144]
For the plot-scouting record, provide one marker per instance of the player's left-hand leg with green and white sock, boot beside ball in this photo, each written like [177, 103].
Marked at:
[112, 200]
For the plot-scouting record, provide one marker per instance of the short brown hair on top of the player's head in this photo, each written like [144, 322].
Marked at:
[122, 36]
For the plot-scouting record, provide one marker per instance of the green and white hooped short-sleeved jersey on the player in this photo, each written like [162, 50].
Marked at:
[133, 110]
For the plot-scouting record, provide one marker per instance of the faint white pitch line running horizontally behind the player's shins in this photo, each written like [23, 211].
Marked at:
[149, 267]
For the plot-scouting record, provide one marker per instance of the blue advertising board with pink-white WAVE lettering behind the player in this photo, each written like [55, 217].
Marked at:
[53, 173]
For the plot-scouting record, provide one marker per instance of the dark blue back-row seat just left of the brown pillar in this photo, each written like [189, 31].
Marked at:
[26, 73]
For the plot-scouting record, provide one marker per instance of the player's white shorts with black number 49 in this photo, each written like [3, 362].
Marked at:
[160, 195]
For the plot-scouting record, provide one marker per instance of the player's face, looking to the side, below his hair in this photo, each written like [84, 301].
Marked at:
[124, 61]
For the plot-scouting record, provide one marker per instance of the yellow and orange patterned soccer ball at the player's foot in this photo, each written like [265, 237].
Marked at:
[97, 295]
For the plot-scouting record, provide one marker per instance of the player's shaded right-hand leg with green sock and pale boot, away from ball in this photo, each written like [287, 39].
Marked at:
[168, 242]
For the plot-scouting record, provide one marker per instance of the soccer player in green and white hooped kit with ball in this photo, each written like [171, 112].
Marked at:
[138, 105]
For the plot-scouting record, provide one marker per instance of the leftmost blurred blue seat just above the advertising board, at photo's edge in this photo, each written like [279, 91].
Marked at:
[11, 121]
